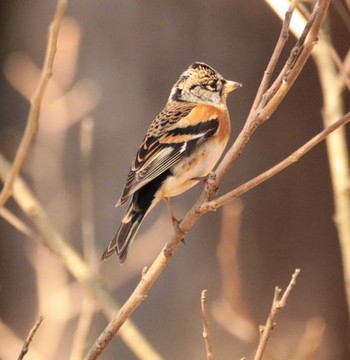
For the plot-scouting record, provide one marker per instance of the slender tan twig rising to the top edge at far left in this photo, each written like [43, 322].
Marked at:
[34, 111]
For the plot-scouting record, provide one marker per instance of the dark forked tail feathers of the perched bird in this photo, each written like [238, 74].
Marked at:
[126, 232]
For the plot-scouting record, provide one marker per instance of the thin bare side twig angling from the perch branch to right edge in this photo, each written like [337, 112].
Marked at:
[291, 159]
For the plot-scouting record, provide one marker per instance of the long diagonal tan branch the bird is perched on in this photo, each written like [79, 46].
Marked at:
[290, 72]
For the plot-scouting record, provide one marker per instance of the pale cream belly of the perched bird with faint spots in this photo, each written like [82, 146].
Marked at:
[188, 170]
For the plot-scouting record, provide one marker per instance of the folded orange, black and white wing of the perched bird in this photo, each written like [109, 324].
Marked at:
[175, 133]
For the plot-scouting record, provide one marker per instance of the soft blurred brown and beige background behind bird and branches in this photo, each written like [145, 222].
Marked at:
[115, 66]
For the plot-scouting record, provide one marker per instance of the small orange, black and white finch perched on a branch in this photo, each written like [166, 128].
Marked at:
[182, 145]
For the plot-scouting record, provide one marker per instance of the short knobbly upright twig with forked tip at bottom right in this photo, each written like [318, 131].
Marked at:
[279, 302]
